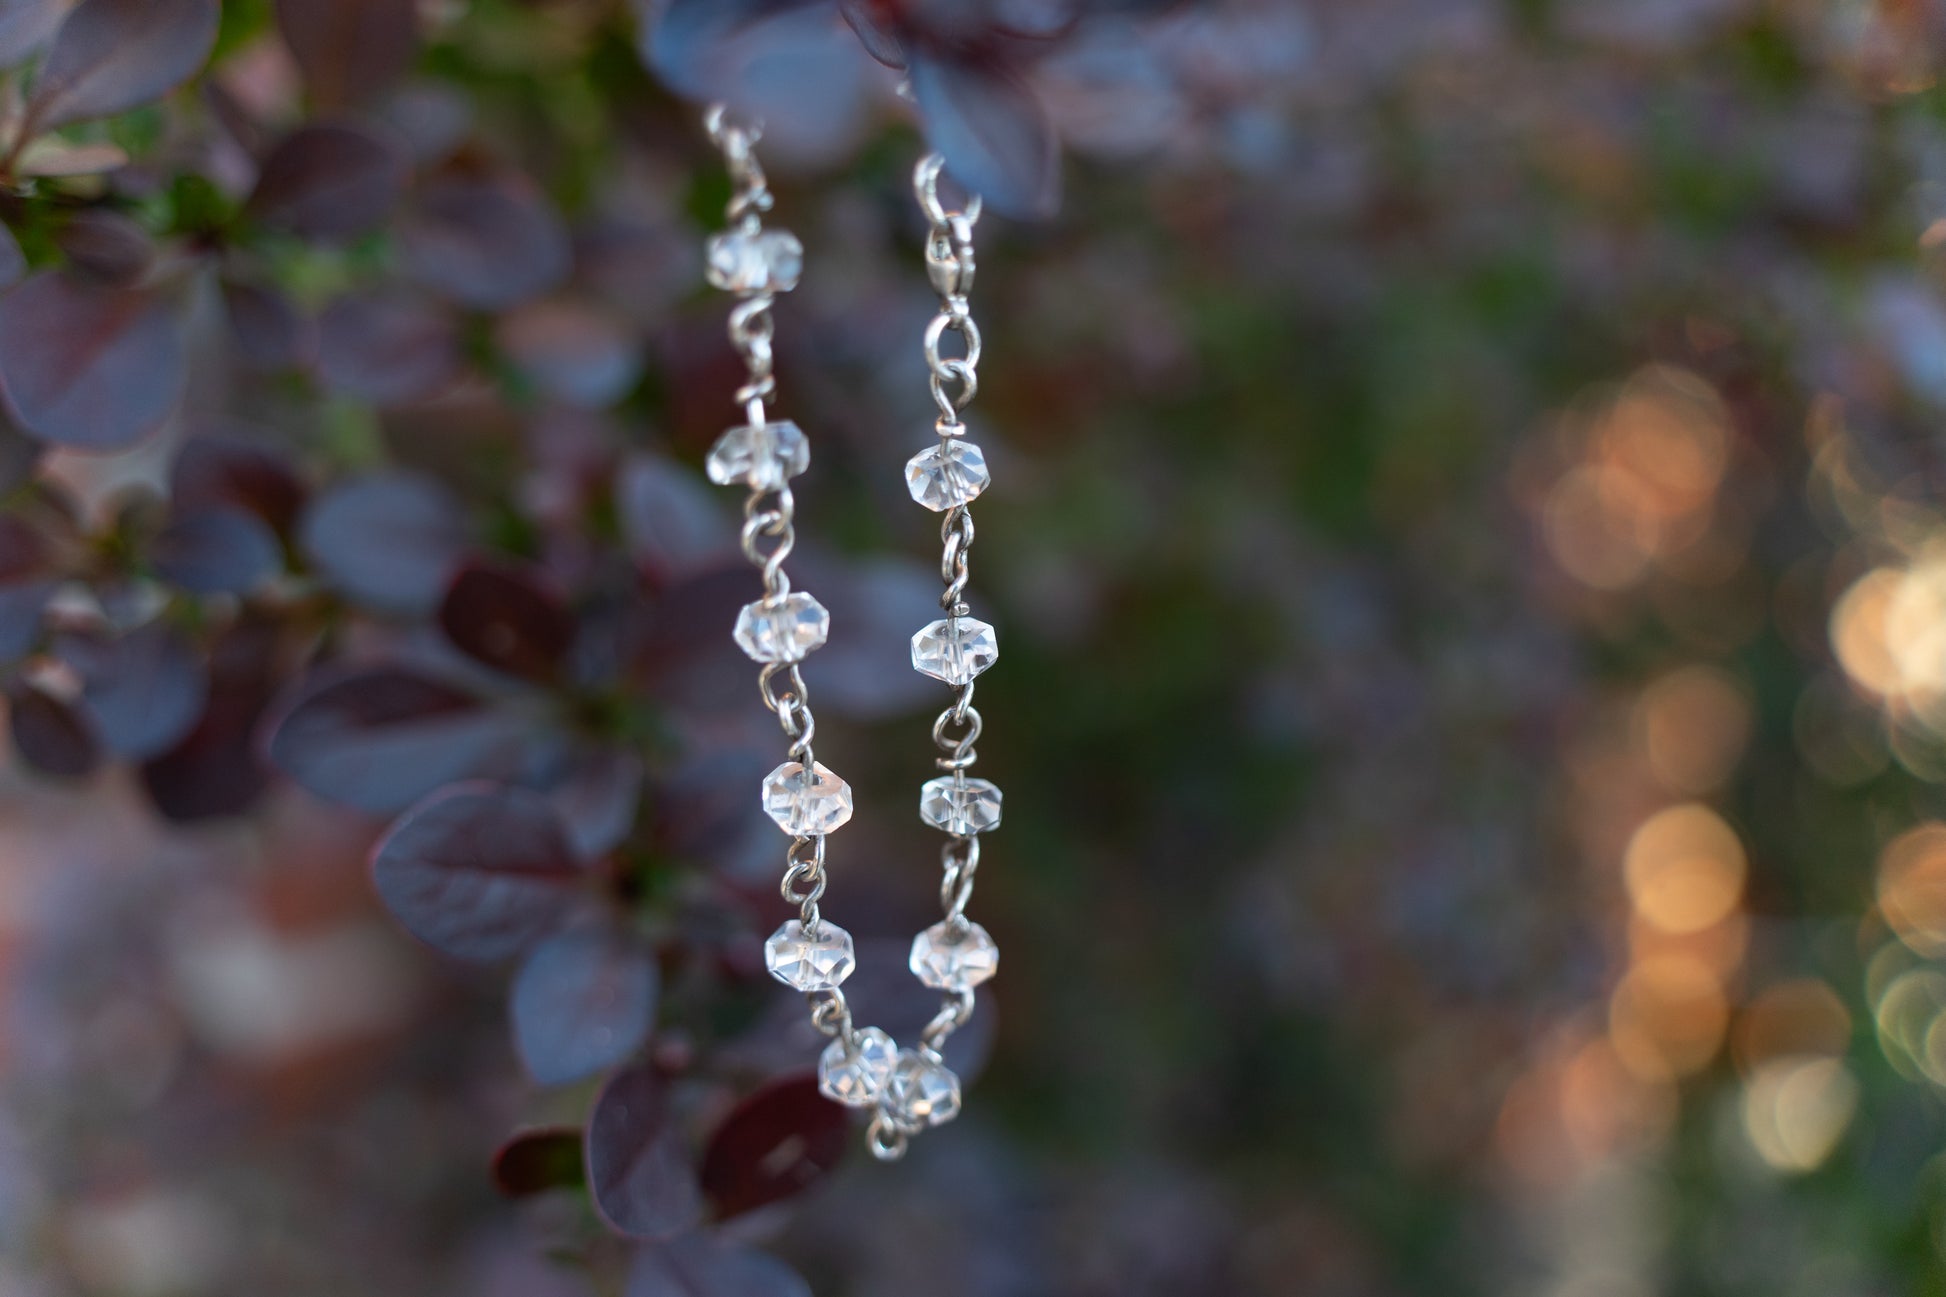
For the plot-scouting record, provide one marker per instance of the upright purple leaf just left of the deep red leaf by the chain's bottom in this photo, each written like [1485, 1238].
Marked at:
[637, 1166]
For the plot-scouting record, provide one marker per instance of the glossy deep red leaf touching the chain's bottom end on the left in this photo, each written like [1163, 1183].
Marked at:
[772, 1146]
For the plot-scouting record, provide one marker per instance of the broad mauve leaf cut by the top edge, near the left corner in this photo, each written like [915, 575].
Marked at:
[114, 56]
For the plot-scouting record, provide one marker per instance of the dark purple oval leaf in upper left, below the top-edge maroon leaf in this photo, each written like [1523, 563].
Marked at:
[328, 182]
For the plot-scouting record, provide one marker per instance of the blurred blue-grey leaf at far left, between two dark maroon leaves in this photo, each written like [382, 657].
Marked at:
[143, 690]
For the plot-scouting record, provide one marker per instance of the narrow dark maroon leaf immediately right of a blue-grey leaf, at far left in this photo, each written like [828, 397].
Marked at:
[217, 768]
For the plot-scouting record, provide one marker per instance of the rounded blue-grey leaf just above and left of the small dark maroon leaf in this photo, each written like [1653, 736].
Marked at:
[390, 542]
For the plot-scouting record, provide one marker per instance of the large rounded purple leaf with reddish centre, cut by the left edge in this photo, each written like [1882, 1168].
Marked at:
[90, 367]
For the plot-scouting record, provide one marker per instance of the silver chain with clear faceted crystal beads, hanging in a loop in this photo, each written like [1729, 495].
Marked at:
[908, 1090]
